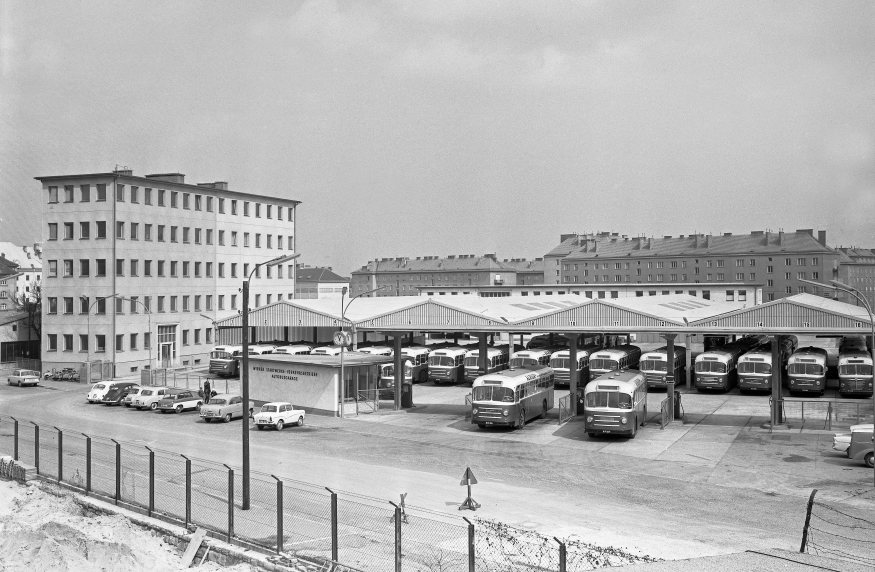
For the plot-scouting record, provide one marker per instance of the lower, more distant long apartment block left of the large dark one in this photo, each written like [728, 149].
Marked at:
[403, 276]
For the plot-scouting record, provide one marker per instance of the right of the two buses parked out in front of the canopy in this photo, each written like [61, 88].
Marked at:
[615, 403]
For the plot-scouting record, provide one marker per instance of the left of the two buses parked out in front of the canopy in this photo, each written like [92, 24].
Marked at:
[512, 397]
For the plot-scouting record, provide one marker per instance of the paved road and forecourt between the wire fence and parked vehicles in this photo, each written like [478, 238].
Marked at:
[668, 509]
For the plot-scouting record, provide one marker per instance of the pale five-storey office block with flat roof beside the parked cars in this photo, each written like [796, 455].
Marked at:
[137, 269]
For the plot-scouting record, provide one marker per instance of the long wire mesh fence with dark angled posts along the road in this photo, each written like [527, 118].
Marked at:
[286, 516]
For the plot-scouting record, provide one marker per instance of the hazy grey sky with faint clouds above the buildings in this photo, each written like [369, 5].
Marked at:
[438, 127]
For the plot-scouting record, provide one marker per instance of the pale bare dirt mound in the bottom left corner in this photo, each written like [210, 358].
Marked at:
[45, 532]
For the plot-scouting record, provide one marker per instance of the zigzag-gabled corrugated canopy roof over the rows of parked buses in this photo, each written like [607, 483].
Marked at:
[674, 313]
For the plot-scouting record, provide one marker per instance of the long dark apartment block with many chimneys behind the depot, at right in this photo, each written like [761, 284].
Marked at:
[775, 260]
